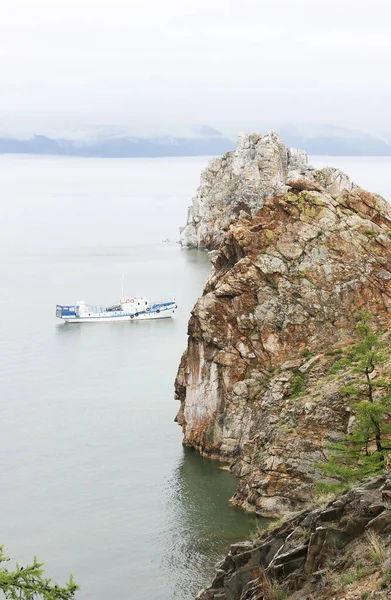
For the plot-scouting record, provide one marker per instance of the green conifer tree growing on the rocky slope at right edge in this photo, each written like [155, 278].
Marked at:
[362, 453]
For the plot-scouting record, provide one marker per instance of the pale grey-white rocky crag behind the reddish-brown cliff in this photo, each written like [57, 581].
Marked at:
[241, 180]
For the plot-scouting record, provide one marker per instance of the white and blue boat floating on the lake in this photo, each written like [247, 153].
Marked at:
[130, 309]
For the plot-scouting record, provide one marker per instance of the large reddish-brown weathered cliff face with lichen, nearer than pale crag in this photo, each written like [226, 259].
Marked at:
[285, 288]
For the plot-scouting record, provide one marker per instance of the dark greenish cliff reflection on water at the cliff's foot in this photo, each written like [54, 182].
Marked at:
[203, 523]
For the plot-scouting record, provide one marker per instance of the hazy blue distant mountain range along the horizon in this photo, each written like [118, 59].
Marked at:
[206, 141]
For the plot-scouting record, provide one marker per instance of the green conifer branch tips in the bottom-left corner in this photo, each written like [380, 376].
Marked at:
[29, 583]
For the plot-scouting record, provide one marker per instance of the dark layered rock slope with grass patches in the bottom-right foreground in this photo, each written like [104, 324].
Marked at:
[335, 552]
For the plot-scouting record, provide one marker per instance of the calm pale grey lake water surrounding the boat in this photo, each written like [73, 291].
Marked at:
[94, 478]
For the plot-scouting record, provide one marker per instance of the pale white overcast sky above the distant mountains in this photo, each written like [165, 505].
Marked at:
[227, 63]
